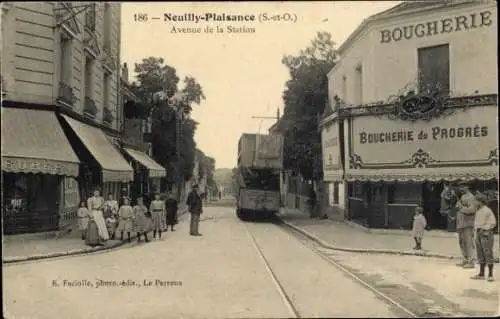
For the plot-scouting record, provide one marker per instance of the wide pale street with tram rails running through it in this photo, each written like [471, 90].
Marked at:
[239, 270]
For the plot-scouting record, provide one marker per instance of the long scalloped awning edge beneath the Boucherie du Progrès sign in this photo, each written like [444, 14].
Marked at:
[468, 173]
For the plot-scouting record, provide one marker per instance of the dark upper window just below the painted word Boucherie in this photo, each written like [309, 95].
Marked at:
[434, 69]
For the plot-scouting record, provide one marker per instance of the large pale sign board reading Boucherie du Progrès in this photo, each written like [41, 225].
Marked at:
[469, 136]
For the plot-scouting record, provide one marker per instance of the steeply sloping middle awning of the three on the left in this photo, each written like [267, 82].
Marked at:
[114, 167]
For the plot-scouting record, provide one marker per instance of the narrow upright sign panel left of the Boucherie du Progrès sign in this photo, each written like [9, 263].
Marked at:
[331, 148]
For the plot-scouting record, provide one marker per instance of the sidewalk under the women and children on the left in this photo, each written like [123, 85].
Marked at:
[23, 248]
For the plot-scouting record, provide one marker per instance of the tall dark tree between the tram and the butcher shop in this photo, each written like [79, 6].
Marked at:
[305, 98]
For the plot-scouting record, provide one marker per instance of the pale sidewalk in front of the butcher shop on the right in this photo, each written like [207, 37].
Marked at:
[342, 236]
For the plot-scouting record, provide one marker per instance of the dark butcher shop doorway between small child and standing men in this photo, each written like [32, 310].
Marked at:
[431, 202]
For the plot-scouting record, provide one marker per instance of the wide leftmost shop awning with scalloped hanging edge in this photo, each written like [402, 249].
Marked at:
[33, 142]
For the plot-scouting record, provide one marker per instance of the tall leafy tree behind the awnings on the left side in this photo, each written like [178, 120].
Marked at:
[153, 76]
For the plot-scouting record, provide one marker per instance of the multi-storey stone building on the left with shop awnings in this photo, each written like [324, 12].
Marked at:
[61, 114]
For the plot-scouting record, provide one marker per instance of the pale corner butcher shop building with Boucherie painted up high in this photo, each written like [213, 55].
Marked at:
[415, 96]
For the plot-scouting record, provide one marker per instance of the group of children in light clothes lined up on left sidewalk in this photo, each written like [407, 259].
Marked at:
[128, 219]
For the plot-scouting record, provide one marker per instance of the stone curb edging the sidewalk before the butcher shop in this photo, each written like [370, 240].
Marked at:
[364, 250]
